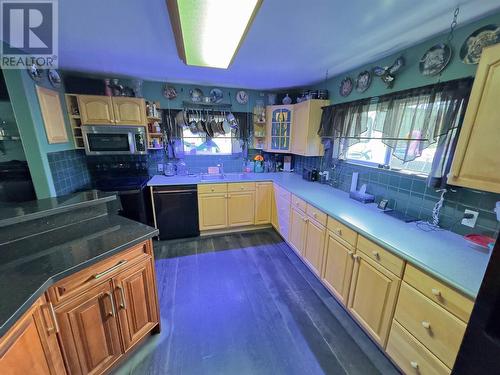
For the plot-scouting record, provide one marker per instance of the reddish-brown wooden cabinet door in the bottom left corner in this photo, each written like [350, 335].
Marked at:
[30, 346]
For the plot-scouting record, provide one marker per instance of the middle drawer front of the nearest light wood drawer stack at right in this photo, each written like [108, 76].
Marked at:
[439, 331]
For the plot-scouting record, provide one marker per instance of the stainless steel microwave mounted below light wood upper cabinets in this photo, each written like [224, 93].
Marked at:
[109, 140]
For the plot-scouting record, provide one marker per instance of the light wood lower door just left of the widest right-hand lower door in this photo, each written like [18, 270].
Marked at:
[337, 272]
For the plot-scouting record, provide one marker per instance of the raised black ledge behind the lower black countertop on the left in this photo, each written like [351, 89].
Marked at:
[15, 213]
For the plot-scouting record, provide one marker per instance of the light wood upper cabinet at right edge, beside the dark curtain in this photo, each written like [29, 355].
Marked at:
[476, 162]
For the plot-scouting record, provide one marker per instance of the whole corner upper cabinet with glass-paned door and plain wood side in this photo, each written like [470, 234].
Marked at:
[293, 129]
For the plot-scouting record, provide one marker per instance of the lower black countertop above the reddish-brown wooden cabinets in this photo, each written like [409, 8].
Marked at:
[30, 265]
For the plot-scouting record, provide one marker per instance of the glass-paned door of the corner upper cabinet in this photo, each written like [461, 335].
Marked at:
[279, 123]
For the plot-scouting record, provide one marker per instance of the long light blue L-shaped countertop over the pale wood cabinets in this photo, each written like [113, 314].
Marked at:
[445, 255]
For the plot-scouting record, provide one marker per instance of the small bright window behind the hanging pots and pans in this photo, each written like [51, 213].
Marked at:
[202, 144]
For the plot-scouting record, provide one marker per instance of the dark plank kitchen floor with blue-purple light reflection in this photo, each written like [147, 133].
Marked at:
[245, 304]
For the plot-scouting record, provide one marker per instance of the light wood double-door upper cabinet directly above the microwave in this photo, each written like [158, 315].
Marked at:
[107, 110]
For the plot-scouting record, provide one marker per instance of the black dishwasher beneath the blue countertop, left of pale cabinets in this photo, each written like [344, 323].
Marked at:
[176, 211]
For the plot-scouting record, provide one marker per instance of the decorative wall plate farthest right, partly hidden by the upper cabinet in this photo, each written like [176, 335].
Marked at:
[471, 50]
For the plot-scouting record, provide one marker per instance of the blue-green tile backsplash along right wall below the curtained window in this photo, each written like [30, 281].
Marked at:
[410, 194]
